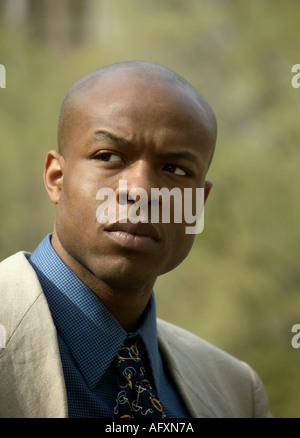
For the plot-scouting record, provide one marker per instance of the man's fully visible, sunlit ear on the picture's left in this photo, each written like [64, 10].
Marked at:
[53, 175]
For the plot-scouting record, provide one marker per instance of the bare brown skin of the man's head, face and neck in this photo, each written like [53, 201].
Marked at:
[150, 132]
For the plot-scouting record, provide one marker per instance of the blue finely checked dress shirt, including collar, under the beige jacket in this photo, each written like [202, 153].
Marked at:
[89, 338]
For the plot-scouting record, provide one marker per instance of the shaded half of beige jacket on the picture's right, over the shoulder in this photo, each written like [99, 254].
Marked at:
[219, 375]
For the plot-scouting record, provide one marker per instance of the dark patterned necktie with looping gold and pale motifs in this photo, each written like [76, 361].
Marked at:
[136, 397]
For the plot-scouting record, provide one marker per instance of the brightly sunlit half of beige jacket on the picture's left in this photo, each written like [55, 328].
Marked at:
[32, 384]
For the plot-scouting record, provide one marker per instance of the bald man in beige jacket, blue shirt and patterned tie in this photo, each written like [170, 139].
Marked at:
[69, 307]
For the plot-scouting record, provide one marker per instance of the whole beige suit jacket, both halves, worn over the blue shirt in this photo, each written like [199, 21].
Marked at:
[211, 382]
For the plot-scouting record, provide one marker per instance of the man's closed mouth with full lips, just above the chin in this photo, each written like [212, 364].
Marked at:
[139, 237]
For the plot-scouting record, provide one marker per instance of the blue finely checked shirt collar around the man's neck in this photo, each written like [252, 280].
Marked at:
[91, 333]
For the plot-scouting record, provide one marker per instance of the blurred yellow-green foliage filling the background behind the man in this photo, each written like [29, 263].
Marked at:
[239, 287]
